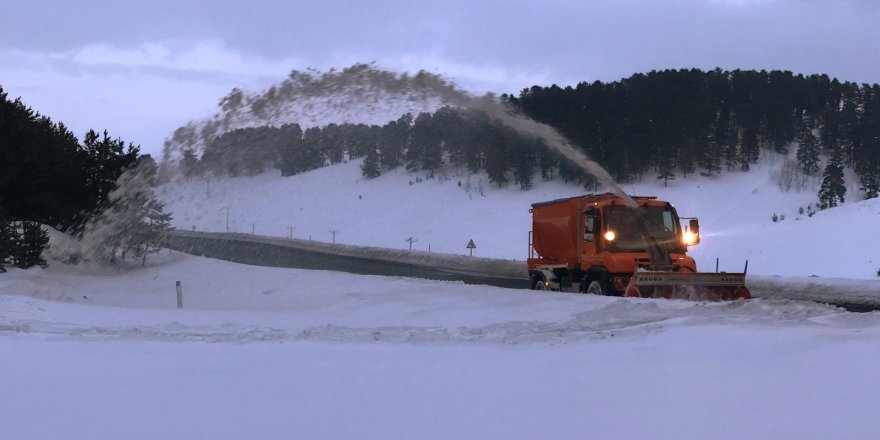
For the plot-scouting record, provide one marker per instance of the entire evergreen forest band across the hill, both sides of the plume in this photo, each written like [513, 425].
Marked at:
[660, 124]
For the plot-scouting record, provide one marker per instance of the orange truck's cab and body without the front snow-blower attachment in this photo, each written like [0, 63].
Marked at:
[594, 243]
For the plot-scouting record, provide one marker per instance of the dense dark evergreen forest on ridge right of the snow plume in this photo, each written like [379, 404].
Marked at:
[685, 121]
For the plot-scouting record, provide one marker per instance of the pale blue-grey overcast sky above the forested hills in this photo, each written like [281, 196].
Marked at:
[142, 68]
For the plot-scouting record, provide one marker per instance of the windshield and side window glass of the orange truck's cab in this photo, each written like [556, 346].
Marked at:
[629, 235]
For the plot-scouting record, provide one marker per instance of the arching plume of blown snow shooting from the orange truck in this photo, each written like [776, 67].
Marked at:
[362, 93]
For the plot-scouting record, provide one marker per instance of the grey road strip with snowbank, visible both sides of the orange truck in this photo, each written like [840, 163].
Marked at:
[854, 295]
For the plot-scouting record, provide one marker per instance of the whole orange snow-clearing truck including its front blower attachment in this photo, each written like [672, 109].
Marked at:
[606, 245]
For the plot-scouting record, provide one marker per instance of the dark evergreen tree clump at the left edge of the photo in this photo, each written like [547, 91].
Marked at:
[48, 177]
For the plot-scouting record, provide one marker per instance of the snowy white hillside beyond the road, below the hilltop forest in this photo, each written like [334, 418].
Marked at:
[735, 211]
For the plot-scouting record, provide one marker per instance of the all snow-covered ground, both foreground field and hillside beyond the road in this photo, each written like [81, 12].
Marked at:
[281, 353]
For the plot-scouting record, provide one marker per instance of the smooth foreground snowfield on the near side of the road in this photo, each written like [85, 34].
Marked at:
[266, 353]
